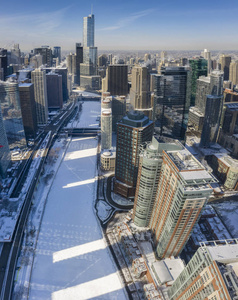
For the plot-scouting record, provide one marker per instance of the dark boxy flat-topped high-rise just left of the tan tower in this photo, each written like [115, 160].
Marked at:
[117, 80]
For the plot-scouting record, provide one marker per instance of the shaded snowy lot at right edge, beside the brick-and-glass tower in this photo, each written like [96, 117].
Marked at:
[228, 211]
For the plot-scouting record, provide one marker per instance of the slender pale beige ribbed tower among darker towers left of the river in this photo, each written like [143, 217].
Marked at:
[38, 78]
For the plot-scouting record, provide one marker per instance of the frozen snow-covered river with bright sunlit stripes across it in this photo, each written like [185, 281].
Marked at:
[72, 260]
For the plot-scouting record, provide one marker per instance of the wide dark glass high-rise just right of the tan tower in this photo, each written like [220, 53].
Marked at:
[172, 99]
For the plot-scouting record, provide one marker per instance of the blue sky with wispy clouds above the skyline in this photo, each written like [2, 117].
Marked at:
[129, 25]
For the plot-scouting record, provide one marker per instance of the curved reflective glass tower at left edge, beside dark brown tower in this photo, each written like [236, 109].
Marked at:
[11, 114]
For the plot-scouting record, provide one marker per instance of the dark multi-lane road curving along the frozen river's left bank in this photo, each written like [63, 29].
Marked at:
[11, 250]
